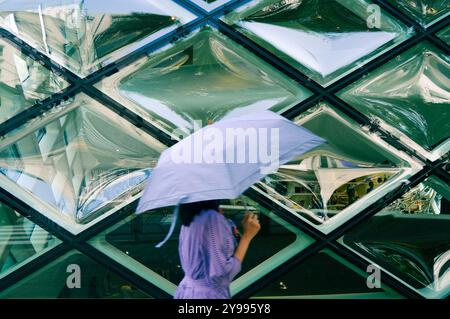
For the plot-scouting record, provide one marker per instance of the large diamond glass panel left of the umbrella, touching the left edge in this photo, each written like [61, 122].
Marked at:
[77, 163]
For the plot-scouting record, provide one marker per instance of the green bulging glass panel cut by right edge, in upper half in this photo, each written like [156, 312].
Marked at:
[410, 96]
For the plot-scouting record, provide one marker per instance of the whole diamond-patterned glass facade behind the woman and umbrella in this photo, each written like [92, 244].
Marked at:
[76, 146]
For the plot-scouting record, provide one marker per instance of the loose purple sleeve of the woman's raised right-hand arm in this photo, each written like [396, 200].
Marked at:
[222, 264]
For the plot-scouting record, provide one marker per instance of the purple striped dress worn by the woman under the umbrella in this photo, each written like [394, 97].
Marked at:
[206, 249]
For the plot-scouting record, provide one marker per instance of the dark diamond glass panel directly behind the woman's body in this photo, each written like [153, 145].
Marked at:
[133, 241]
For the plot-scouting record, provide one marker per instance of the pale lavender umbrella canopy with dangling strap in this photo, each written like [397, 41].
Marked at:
[222, 160]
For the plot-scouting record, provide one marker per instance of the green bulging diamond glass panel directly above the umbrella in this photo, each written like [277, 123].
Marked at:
[223, 77]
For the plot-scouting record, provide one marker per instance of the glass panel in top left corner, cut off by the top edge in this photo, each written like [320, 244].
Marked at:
[86, 34]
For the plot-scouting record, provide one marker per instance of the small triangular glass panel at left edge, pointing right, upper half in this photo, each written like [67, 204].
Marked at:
[23, 81]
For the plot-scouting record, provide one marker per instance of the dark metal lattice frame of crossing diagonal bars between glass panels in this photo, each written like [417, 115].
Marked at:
[86, 85]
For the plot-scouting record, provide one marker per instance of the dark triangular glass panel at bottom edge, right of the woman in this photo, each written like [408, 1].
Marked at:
[324, 275]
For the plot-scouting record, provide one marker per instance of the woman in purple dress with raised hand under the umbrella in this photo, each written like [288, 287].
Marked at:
[210, 251]
